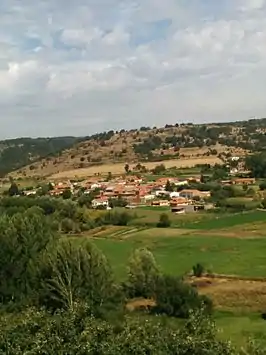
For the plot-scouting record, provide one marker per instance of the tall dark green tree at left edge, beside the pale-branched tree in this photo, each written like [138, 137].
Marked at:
[23, 239]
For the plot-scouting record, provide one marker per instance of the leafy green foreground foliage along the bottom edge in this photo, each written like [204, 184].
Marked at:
[77, 333]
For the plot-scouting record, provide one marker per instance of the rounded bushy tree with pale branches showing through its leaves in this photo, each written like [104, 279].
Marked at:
[75, 272]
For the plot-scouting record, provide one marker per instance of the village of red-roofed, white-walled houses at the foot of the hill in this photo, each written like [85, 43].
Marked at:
[175, 194]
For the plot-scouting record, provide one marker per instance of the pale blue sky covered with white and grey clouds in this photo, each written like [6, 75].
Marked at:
[85, 66]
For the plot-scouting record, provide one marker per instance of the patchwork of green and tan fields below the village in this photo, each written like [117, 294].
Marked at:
[229, 245]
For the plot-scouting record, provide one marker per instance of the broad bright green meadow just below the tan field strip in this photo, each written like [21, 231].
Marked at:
[176, 256]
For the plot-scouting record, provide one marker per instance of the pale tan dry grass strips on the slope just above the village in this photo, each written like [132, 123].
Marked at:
[117, 169]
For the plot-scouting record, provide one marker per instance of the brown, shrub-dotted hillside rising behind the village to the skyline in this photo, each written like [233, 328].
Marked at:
[204, 144]
